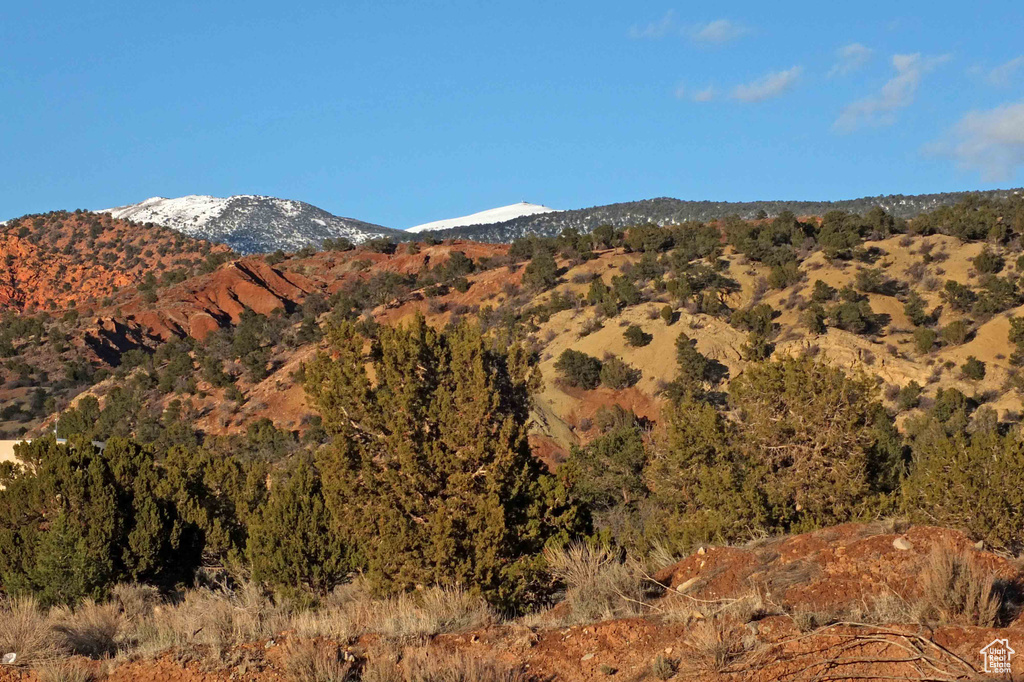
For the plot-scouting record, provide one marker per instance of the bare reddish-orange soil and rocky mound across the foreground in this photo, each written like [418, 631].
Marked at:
[851, 603]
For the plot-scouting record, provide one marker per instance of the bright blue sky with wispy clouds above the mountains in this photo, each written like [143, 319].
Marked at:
[404, 113]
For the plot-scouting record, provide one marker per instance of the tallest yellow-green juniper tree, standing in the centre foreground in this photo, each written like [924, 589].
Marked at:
[430, 474]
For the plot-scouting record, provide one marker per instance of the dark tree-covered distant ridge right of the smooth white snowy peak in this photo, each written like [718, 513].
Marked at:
[667, 211]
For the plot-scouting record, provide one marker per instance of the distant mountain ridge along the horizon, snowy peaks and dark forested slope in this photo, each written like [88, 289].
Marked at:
[257, 224]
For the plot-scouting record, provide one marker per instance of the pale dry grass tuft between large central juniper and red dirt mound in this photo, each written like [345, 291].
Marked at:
[600, 585]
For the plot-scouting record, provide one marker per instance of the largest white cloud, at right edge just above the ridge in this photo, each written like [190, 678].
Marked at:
[990, 141]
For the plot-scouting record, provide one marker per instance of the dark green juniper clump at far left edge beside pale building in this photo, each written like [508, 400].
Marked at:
[75, 520]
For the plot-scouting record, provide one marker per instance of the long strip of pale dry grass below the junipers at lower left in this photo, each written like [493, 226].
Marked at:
[208, 625]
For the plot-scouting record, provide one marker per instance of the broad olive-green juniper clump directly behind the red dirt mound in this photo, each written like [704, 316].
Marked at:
[812, 448]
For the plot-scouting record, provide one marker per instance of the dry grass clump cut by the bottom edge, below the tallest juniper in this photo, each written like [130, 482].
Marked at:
[420, 665]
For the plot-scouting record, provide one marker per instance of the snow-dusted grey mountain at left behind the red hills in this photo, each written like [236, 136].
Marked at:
[251, 224]
